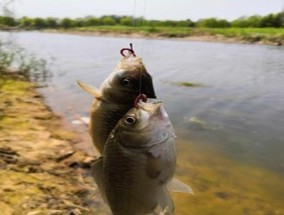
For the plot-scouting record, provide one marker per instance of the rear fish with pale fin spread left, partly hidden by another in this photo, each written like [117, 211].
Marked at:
[116, 96]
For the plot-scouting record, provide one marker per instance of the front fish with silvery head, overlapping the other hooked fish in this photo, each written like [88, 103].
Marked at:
[138, 162]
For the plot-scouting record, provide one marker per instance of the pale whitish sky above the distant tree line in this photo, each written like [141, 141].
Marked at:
[149, 9]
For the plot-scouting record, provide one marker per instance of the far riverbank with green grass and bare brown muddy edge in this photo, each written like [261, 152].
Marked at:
[267, 36]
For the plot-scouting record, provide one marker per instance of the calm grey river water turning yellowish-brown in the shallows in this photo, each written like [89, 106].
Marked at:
[230, 126]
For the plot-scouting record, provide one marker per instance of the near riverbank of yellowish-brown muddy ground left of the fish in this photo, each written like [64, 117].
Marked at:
[41, 170]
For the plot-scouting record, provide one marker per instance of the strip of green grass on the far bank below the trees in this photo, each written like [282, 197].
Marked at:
[251, 35]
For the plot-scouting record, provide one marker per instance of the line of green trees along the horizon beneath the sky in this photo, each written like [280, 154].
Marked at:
[271, 20]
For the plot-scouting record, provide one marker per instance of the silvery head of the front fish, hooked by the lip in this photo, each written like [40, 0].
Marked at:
[144, 126]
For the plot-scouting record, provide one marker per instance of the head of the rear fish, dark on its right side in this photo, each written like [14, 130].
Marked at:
[129, 79]
